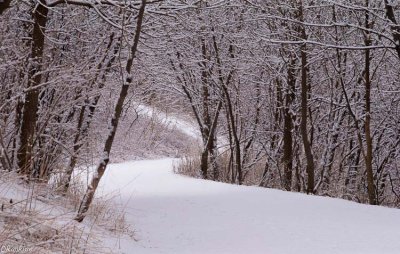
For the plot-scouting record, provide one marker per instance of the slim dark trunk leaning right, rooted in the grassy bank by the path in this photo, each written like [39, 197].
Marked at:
[89, 195]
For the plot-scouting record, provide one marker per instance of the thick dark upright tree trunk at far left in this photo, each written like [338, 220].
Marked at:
[31, 104]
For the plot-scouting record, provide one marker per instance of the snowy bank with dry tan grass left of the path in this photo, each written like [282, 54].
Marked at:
[35, 217]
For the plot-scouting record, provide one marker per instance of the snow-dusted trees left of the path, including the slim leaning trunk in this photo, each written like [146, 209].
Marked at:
[58, 59]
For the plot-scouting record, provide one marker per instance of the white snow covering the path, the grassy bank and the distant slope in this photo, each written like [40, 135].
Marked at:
[173, 214]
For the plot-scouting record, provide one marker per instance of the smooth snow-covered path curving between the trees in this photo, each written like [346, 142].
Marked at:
[176, 214]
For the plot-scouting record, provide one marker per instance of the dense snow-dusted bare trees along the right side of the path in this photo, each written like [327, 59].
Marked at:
[296, 95]
